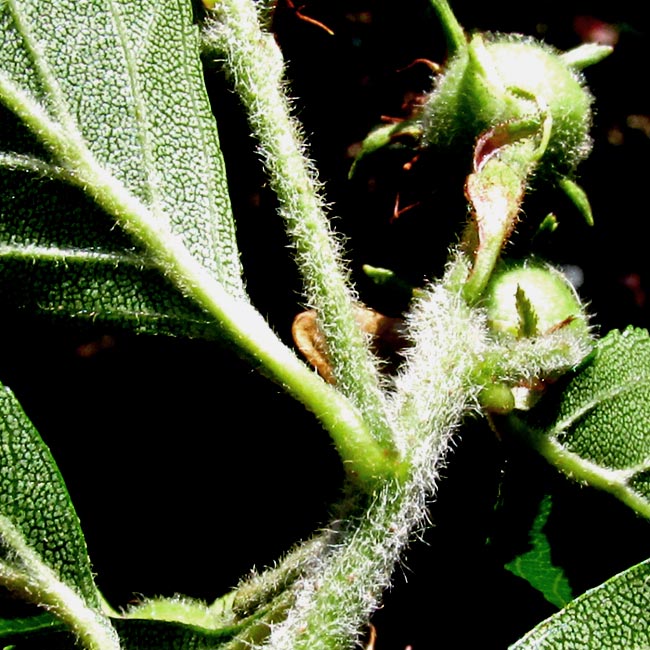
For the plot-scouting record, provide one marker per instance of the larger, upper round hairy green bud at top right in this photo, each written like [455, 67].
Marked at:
[520, 86]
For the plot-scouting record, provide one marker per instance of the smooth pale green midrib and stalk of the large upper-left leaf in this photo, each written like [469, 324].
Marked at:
[364, 459]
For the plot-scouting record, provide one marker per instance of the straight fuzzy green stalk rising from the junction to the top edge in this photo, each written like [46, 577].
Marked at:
[256, 67]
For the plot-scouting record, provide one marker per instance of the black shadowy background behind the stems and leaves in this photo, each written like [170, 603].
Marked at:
[174, 499]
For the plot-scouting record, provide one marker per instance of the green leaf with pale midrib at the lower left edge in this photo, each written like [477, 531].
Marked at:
[43, 555]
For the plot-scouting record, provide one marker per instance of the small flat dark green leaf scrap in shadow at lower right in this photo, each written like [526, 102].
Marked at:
[536, 566]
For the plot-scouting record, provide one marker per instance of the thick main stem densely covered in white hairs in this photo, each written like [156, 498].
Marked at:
[432, 395]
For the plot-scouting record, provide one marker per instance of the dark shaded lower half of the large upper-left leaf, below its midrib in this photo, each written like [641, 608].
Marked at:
[82, 267]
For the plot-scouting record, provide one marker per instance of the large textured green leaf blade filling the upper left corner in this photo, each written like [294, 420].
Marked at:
[114, 93]
